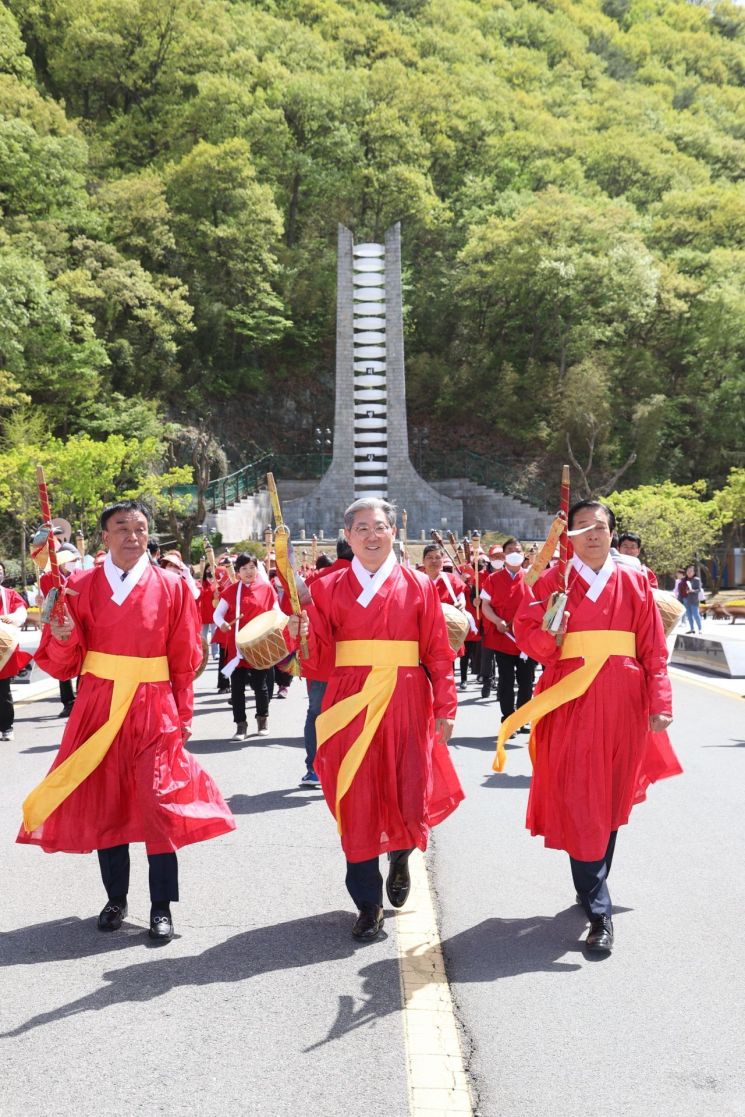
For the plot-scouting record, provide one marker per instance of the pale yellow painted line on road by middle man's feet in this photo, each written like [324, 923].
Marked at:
[436, 1073]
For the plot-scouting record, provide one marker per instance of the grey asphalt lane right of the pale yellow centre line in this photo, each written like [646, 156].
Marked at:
[658, 1027]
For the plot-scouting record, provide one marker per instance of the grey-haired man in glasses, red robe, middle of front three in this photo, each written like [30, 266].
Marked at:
[378, 635]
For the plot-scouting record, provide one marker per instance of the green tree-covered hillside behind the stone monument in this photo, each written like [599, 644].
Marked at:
[569, 176]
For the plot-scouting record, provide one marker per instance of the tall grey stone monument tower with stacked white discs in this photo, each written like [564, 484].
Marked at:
[371, 442]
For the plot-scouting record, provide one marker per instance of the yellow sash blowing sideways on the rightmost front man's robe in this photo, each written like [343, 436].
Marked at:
[595, 648]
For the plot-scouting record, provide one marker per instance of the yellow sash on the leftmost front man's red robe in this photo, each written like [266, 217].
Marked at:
[127, 673]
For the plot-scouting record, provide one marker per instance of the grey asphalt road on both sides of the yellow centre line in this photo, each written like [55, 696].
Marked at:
[265, 1005]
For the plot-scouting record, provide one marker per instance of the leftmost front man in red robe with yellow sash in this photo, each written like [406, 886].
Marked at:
[122, 776]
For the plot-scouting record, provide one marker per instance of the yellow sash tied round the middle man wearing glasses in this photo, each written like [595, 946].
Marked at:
[385, 657]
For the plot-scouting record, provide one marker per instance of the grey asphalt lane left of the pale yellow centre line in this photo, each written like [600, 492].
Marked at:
[263, 1005]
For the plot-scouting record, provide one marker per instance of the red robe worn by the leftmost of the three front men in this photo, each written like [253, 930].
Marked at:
[148, 788]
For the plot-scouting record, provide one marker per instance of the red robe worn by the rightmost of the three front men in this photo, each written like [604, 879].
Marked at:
[595, 757]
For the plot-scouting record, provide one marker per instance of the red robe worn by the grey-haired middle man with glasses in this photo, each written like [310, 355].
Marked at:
[407, 782]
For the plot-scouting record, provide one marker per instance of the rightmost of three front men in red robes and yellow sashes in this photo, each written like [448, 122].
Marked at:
[598, 738]
